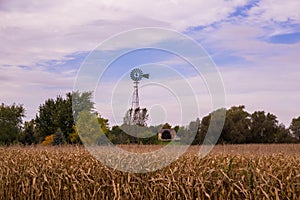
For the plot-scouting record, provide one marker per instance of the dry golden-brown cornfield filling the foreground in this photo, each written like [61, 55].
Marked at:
[228, 172]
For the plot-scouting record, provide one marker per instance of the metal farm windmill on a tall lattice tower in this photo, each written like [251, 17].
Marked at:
[136, 75]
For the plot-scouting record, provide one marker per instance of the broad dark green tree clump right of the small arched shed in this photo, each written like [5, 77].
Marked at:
[243, 127]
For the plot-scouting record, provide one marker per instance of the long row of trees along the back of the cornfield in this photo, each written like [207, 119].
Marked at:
[58, 120]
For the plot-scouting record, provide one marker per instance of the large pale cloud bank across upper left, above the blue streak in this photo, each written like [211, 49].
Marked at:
[32, 31]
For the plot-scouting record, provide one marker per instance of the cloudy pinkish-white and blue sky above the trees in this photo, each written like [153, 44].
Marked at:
[254, 45]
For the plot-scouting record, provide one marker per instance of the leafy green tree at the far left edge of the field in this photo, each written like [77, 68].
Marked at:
[10, 122]
